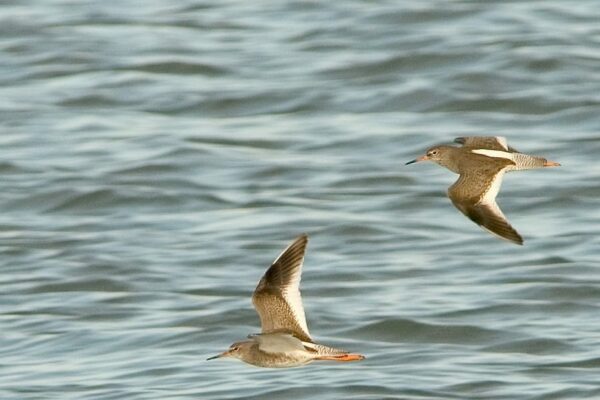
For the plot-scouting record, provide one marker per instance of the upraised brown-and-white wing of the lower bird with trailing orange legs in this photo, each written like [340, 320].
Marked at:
[277, 297]
